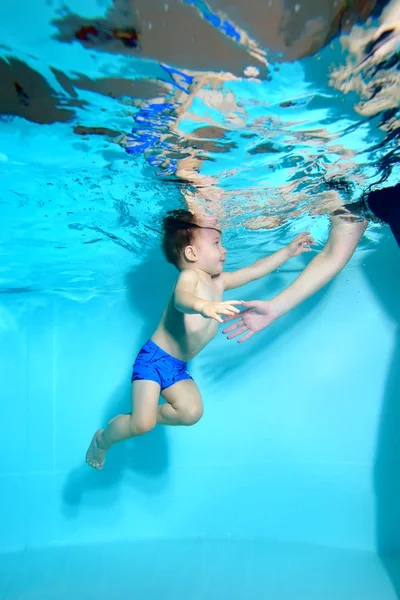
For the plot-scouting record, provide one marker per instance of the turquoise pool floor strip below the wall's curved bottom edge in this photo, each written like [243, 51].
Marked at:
[196, 570]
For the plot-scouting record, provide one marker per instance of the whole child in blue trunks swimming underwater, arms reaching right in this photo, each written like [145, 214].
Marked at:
[189, 322]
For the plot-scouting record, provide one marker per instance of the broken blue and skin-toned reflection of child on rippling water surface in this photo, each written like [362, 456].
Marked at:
[160, 138]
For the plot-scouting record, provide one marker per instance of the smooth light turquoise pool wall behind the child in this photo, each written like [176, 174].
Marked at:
[299, 439]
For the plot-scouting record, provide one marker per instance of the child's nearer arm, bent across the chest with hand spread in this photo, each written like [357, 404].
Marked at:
[187, 302]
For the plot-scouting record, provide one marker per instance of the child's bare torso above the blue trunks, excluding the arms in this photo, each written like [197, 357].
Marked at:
[184, 335]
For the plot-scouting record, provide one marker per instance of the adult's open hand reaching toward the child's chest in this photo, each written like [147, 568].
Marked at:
[257, 315]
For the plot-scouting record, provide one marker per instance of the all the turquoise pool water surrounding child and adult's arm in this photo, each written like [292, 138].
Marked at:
[270, 115]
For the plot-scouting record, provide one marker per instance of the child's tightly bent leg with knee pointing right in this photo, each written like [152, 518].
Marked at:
[184, 405]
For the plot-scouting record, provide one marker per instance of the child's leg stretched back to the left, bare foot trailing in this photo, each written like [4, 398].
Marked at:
[143, 418]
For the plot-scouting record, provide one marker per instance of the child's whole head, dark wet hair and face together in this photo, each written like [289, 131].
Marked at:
[189, 245]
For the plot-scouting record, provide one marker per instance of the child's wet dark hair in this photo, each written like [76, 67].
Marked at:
[178, 232]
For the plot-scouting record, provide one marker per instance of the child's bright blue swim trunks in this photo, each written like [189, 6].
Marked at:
[154, 364]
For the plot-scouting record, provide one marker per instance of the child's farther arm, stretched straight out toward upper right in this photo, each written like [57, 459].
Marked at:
[268, 264]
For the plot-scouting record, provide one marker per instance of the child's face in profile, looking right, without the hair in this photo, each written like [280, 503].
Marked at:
[209, 251]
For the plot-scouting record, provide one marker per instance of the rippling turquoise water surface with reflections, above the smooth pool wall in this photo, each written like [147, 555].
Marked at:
[282, 149]
